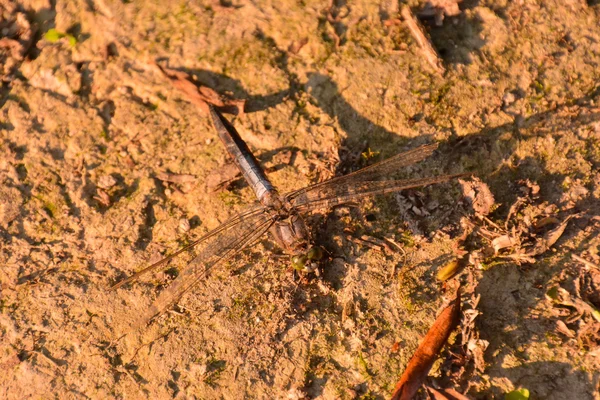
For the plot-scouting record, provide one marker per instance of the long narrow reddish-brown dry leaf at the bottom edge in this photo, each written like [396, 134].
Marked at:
[419, 365]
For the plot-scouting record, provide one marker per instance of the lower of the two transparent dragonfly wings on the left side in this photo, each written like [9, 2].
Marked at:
[219, 248]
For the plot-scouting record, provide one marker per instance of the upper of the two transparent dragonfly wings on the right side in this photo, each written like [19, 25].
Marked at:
[375, 172]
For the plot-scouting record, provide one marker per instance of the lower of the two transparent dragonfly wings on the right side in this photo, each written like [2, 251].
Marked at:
[350, 191]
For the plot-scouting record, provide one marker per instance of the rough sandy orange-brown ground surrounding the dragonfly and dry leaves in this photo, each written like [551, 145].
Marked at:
[87, 125]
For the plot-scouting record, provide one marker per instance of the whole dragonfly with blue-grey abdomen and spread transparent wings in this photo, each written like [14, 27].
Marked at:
[283, 216]
